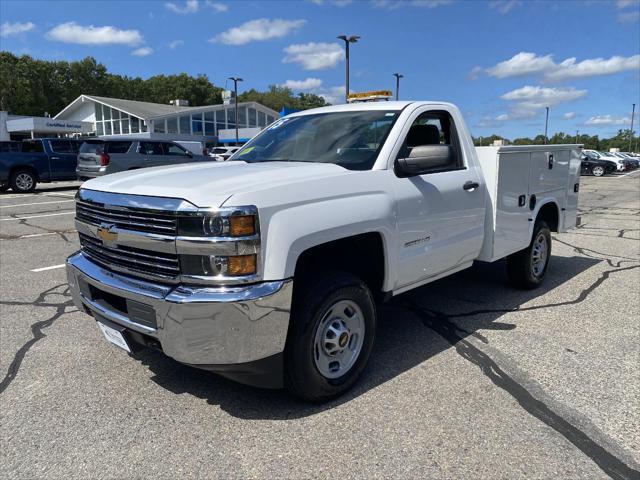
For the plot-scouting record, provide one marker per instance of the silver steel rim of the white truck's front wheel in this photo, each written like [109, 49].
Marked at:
[338, 340]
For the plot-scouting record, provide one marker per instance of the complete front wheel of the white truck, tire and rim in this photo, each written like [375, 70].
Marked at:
[330, 337]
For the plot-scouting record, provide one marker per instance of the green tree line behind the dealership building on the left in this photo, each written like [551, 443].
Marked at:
[32, 87]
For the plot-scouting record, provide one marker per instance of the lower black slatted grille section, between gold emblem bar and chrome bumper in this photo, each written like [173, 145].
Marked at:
[134, 260]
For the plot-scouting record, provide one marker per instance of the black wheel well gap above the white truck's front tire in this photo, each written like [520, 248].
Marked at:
[361, 255]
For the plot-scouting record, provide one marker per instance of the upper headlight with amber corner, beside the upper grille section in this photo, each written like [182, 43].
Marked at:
[239, 223]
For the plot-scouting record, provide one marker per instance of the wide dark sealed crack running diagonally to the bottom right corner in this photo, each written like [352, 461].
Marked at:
[442, 325]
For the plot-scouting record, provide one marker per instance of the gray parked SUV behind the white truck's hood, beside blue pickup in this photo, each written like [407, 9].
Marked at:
[101, 157]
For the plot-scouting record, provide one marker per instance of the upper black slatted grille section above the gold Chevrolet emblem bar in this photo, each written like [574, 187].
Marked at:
[126, 218]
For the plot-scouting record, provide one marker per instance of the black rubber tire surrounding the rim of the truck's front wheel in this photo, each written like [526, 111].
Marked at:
[313, 298]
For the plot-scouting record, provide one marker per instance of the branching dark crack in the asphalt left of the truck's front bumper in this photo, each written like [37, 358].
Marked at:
[37, 327]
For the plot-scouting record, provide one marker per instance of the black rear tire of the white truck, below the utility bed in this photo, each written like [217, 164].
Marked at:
[522, 270]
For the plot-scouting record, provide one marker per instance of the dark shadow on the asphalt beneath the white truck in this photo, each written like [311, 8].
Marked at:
[476, 298]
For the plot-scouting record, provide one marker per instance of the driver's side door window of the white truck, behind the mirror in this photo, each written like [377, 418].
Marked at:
[434, 128]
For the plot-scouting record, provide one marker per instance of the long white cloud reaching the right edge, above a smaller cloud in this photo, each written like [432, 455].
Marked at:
[527, 63]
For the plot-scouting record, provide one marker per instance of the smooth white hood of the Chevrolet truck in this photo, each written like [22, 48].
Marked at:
[210, 184]
